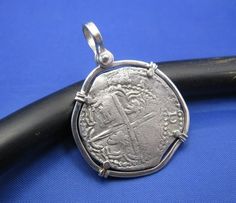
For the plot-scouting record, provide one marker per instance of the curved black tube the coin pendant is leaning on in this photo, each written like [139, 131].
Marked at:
[45, 120]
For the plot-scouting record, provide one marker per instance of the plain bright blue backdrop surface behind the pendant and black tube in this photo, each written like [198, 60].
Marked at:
[42, 49]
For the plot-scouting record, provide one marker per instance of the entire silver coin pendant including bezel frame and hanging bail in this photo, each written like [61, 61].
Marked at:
[130, 120]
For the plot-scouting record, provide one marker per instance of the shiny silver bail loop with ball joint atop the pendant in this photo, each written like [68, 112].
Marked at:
[103, 57]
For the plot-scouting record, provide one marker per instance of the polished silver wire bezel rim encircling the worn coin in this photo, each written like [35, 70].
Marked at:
[85, 91]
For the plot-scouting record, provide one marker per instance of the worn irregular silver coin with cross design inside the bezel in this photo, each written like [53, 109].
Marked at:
[130, 118]
